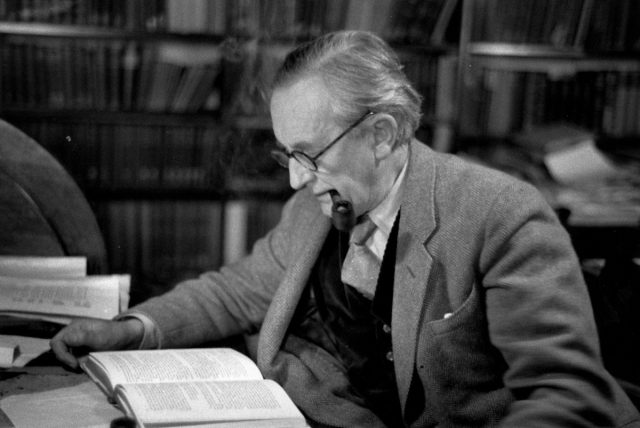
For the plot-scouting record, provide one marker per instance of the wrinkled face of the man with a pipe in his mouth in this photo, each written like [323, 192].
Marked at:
[303, 120]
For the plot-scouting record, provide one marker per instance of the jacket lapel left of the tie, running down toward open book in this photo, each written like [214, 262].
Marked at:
[285, 300]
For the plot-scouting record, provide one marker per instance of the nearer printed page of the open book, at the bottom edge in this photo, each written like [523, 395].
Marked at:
[208, 401]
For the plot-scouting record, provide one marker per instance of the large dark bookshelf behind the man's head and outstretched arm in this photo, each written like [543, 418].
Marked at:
[157, 108]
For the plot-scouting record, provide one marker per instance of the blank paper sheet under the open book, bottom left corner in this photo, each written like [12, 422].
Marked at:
[80, 405]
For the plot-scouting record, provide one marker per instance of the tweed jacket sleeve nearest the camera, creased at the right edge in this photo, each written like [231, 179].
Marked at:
[540, 317]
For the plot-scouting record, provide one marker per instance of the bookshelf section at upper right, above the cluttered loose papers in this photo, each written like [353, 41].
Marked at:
[530, 62]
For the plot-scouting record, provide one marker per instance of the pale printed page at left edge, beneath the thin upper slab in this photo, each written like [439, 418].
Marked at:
[95, 296]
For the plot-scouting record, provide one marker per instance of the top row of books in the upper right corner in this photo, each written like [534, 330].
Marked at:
[595, 25]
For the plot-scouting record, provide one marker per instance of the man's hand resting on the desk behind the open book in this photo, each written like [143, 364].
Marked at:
[95, 335]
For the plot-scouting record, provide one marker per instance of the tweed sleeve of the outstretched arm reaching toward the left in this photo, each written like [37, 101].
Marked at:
[223, 303]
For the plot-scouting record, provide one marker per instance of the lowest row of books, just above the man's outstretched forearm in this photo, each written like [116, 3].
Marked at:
[163, 242]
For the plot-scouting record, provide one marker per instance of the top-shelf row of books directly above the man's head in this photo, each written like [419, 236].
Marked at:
[403, 21]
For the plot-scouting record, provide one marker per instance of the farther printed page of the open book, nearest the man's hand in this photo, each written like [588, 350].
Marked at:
[168, 365]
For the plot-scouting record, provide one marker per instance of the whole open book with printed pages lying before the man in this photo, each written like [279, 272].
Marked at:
[191, 387]
